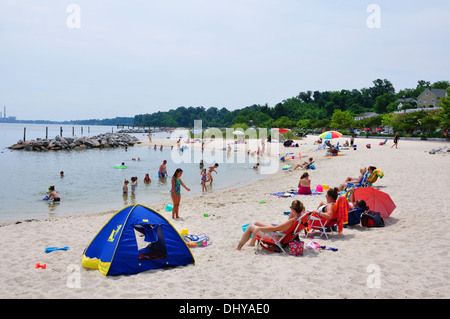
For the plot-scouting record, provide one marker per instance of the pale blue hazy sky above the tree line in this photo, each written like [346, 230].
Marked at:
[96, 59]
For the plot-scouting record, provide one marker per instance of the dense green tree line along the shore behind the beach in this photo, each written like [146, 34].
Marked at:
[309, 110]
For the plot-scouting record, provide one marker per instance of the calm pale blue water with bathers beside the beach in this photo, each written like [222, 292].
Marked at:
[91, 183]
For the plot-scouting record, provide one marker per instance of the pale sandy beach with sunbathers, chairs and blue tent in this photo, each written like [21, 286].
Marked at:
[409, 257]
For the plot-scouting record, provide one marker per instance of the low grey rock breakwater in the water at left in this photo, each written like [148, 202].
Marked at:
[77, 143]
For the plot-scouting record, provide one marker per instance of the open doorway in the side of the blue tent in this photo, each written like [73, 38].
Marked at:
[150, 241]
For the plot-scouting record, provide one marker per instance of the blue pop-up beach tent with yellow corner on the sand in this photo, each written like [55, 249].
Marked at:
[136, 239]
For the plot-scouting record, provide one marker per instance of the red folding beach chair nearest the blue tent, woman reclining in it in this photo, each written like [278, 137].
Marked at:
[278, 241]
